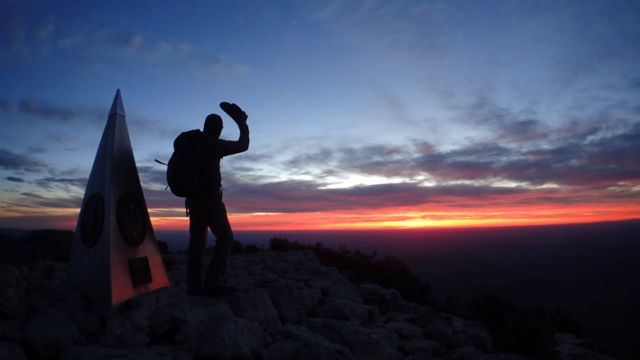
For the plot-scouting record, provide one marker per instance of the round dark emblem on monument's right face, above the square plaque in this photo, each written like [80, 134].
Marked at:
[132, 219]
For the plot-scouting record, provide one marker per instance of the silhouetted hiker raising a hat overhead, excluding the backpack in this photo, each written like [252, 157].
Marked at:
[206, 209]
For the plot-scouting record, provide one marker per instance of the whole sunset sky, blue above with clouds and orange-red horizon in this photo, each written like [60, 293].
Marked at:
[363, 114]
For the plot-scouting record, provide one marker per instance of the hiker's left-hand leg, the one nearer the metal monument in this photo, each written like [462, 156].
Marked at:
[197, 243]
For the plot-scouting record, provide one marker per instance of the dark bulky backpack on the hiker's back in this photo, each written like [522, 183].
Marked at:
[183, 170]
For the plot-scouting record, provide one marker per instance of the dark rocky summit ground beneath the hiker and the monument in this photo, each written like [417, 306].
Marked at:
[288, 306]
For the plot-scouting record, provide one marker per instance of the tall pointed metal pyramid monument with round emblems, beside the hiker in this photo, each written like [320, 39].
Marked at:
[114, 255]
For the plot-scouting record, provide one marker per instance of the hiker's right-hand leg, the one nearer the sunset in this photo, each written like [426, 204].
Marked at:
[216, 273]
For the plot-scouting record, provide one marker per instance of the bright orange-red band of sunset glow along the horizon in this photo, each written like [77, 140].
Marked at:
[411, 219]
